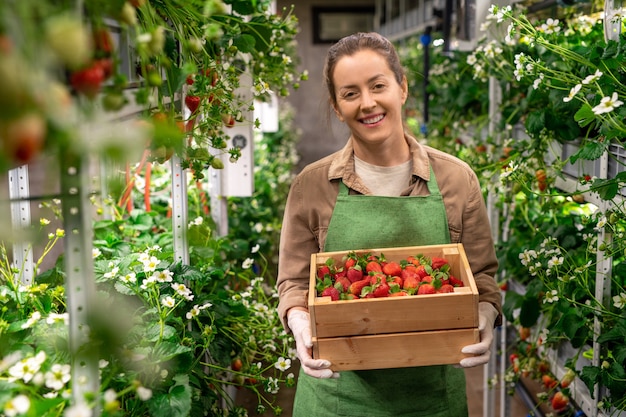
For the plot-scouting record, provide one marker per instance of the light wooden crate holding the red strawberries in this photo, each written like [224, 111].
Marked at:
[377, 333]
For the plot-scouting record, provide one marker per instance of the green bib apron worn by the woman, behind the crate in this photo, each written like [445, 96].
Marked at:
[368, 222]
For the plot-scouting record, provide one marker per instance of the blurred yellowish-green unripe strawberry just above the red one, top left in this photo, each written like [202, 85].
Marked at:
[69, 40]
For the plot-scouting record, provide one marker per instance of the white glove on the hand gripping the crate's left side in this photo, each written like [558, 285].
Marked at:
[300, 325]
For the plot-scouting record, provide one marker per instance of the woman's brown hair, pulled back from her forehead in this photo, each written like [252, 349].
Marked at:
[354, 43]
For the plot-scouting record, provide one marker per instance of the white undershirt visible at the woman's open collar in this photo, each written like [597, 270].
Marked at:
[385, 181]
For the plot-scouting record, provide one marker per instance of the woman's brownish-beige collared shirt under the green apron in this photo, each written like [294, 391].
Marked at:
[312, 199]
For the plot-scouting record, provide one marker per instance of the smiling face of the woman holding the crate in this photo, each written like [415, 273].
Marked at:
[368, 97]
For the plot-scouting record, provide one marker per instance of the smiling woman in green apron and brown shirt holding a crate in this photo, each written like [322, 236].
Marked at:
[335, 204]
